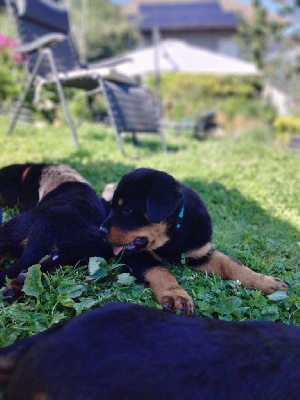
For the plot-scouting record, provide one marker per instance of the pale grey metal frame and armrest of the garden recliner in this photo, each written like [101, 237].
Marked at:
[43, 47]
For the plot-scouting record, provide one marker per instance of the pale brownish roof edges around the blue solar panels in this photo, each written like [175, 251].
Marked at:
[132, 7]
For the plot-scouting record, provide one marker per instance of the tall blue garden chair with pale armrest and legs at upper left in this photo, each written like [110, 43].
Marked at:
[44, 31]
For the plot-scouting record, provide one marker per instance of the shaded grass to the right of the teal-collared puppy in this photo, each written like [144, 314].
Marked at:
[246, 231]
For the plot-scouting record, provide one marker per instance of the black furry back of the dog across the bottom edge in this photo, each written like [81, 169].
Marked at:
[130, 352]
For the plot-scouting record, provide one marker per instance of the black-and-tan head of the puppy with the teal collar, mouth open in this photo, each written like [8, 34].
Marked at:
[143, 205]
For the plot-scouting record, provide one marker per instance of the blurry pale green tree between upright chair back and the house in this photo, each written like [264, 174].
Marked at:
[100, 28]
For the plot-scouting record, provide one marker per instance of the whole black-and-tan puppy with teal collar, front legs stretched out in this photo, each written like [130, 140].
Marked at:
[156, 219]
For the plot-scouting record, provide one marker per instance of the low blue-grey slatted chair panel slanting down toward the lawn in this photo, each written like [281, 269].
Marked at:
[130, 107]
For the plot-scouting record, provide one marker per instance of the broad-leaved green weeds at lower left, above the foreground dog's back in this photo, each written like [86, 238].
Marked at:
[51, 299]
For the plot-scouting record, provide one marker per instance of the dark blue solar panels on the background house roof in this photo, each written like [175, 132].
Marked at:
[185, 15]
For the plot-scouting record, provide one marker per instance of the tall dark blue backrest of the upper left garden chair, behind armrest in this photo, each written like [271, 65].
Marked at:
[35, 18]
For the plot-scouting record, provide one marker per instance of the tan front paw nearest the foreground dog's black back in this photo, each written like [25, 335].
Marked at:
[177, 299]
